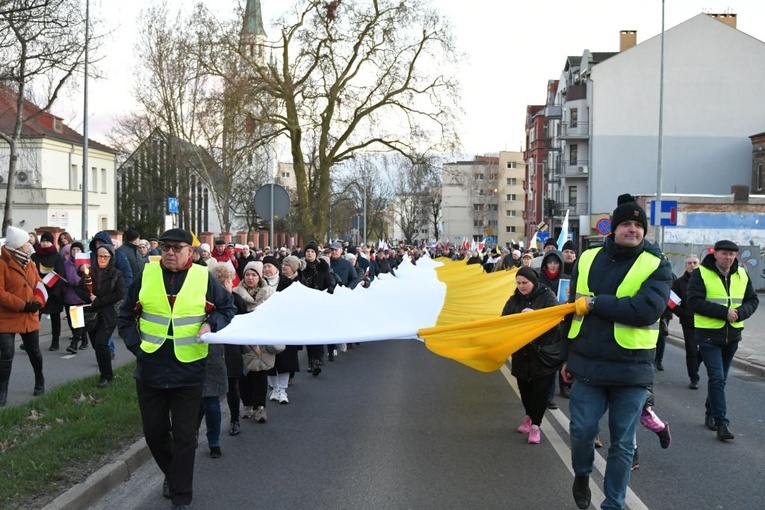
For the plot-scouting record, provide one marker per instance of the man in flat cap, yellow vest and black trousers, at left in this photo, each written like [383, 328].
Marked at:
[166, 311]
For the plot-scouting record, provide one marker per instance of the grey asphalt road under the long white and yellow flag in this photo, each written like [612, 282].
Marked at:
[391, 426]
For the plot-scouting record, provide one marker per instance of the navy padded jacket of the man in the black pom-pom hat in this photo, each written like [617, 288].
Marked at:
[593, 356]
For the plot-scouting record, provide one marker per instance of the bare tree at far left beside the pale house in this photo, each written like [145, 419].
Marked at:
[39, 39]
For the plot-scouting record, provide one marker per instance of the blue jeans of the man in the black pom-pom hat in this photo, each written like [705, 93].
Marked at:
[587, 406]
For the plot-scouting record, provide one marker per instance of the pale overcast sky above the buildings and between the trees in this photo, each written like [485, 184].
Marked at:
[512, 48]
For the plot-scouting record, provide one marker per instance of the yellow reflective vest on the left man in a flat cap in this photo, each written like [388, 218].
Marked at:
[186, 315]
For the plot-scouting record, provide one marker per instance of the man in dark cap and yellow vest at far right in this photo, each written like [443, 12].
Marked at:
[721, 296]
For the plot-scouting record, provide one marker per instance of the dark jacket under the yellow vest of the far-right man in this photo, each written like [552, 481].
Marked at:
[697, 293]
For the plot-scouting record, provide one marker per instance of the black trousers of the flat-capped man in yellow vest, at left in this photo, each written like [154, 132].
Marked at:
[169, 417]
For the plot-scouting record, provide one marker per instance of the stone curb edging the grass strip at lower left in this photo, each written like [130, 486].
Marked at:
[89, 492]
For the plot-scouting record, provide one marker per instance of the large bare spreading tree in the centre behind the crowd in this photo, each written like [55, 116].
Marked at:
[350, 76]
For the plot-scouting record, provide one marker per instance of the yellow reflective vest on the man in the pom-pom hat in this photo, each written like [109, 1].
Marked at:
[628, 337]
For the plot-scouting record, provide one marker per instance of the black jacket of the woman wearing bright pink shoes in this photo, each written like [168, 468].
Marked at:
[525, 361]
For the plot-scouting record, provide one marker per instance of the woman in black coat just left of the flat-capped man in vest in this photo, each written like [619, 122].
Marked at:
[108, 288]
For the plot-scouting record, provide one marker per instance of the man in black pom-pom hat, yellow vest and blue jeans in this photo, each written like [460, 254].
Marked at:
[610, 350]
